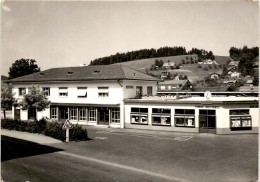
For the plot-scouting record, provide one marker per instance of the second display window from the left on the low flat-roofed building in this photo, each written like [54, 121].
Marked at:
[161, 116]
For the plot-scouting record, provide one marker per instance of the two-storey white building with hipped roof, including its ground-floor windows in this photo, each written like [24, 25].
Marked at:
[90, 95]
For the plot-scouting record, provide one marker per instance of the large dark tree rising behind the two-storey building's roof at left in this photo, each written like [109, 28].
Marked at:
[23, 67]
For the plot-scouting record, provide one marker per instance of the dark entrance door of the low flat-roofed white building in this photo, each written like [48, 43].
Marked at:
[207, 121]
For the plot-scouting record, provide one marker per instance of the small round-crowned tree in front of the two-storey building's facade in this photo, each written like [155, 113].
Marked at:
[35, 100]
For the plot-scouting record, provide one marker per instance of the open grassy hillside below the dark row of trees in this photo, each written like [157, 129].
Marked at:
[191, 70]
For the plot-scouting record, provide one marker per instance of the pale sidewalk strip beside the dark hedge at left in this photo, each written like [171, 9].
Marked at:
[33, 137]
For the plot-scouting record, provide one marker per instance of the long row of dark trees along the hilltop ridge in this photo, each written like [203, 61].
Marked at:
[151, 53]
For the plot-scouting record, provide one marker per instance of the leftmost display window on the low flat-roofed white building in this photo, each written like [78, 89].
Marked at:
[139, 115]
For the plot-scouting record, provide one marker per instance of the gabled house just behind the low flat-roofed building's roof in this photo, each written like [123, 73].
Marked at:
[174, 86]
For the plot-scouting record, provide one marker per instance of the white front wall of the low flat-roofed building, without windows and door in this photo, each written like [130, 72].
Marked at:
[222, 117]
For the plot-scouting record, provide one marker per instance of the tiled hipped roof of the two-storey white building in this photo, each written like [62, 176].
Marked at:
[85, 73]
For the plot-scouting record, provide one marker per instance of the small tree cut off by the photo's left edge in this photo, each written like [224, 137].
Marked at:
[7, 98]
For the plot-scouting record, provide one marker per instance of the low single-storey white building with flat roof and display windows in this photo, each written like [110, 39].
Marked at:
[220, 115]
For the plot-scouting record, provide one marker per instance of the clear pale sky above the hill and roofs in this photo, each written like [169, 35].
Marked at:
[69, 33]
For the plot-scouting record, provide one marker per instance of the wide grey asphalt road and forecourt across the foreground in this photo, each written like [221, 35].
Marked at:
[117, 155]
